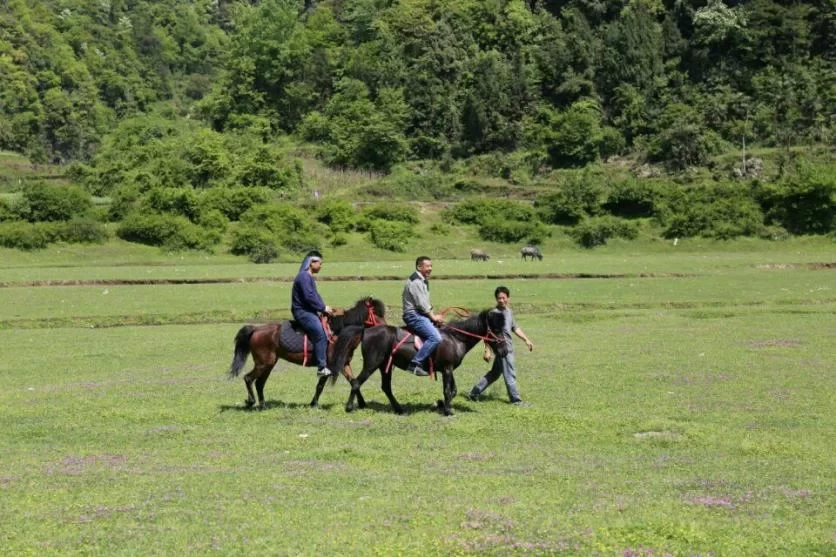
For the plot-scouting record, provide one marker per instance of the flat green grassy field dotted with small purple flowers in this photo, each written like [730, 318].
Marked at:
[681, 403]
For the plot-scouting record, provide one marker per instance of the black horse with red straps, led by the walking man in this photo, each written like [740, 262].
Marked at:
[386, 346]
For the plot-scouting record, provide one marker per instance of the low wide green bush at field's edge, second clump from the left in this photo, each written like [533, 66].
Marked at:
[169, 231]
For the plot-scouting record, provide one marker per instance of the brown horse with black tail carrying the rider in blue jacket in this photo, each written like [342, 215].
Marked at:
[271, 341]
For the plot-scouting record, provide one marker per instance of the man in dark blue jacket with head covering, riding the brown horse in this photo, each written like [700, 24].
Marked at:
[306, 304]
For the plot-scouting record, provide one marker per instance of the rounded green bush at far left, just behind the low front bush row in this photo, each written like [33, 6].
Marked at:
[42, 202]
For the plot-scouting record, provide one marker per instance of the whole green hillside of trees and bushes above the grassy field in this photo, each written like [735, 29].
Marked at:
[257, 127]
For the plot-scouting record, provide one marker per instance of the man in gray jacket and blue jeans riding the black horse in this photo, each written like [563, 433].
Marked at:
[418, 314]
